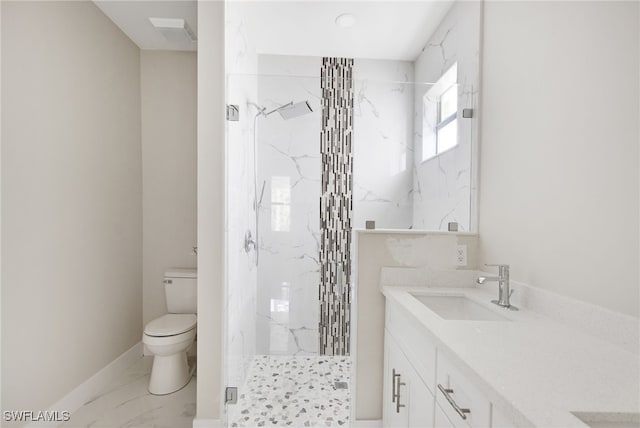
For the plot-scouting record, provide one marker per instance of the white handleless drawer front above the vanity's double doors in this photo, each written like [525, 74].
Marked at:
[414, 342]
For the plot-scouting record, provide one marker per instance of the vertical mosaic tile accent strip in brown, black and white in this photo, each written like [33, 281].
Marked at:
[336, 205]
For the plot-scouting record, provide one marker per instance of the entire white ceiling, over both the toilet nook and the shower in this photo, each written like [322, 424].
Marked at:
[383, 30]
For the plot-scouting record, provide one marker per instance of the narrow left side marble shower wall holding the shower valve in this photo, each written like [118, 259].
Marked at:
[242, 272]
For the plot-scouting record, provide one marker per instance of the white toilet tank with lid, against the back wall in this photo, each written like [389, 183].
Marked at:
[180, 289]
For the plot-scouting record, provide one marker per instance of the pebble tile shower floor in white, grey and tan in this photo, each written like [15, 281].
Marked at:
[295, 392]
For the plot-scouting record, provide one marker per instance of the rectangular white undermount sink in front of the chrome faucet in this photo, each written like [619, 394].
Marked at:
[458, 308]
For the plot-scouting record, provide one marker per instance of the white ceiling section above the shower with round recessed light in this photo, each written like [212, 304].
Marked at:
[383, 30]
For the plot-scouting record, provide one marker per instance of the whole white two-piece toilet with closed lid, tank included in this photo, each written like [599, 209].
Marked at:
[169, 337]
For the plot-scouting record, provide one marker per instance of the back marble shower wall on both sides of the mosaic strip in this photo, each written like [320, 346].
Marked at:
[289, 158]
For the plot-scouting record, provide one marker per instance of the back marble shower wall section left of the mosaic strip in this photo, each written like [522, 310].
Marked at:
[289, 166]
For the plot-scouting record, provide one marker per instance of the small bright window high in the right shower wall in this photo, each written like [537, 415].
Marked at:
[440, 115]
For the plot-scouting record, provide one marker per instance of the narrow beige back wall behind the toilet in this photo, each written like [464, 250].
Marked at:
[168, 88]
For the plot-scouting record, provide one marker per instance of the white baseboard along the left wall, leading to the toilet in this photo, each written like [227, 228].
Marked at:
[93, 386]
